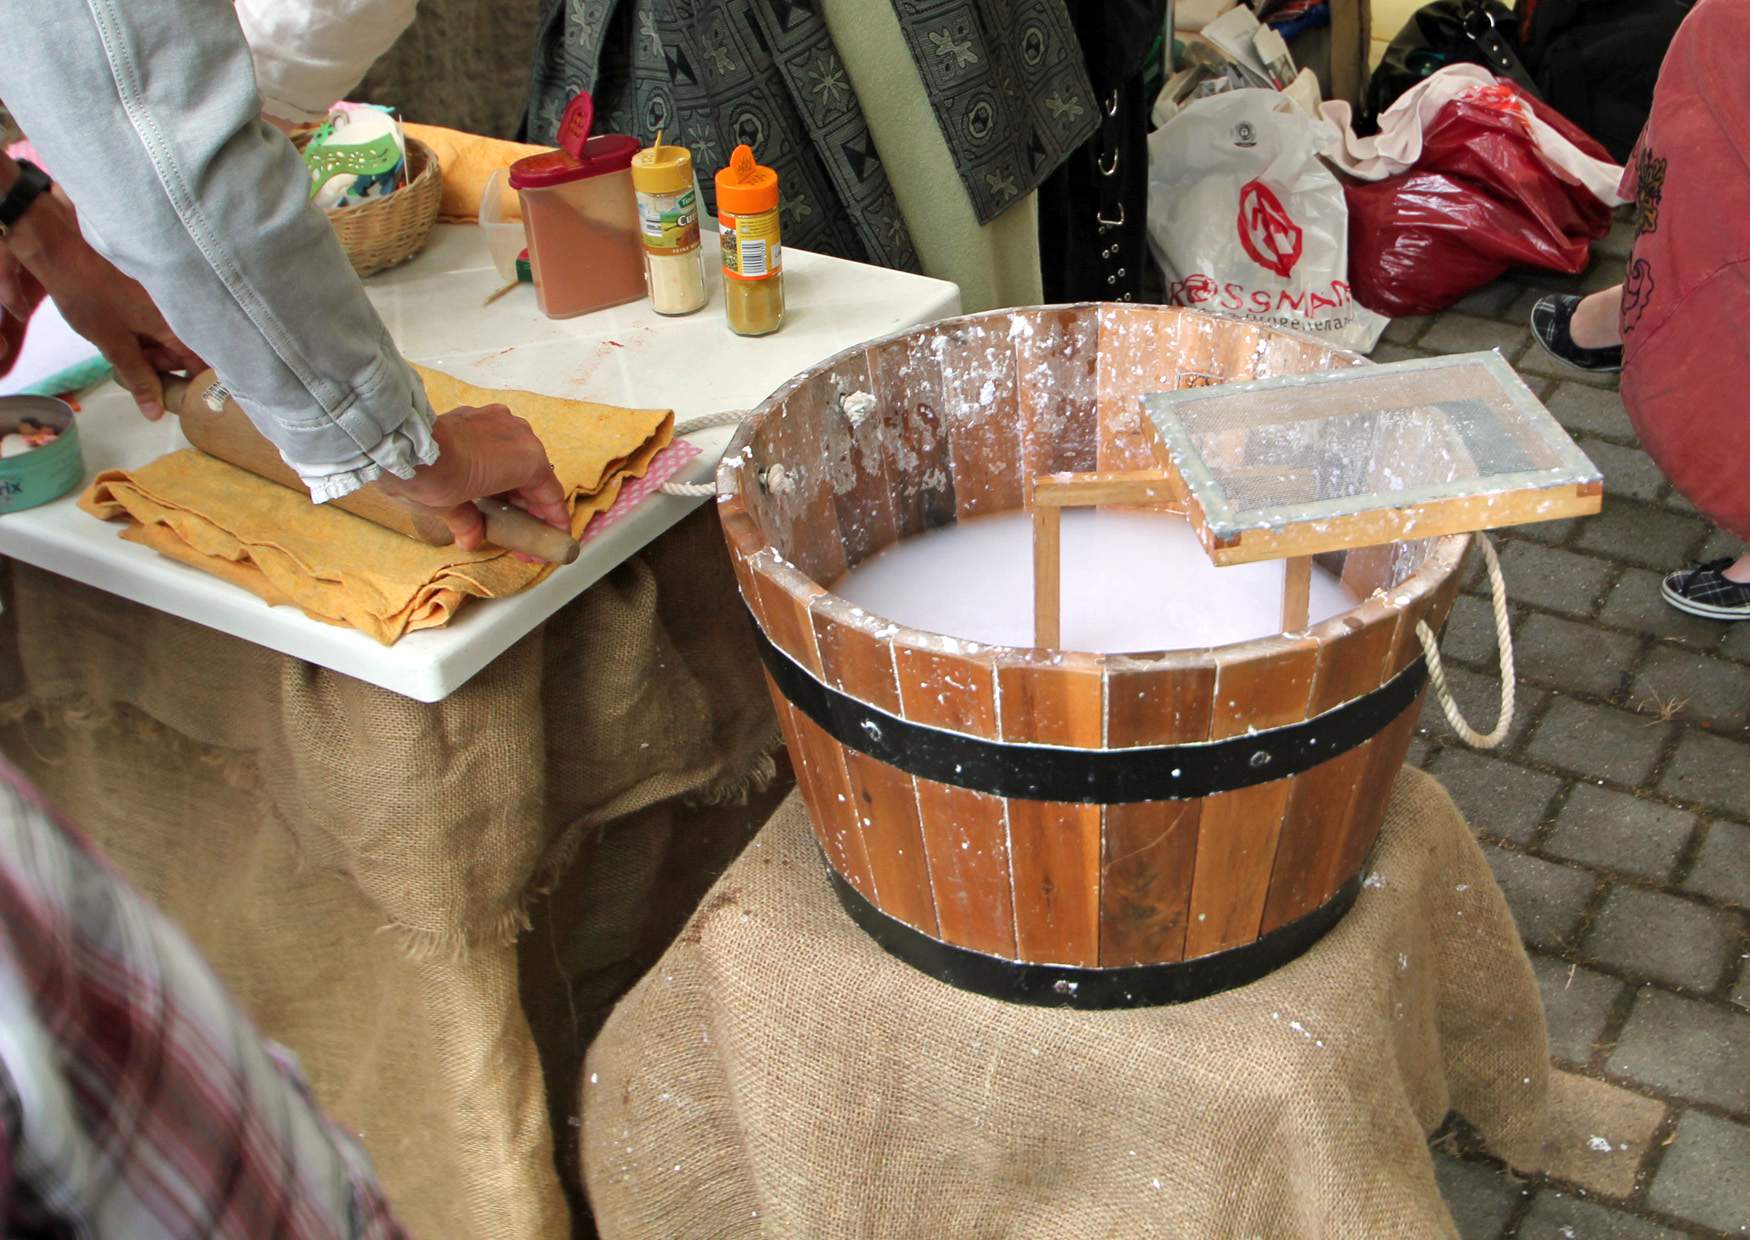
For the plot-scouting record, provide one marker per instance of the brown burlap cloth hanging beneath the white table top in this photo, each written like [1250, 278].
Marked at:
[363, 870]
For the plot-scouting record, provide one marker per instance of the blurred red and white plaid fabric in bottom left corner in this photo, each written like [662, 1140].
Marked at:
[136, 1099]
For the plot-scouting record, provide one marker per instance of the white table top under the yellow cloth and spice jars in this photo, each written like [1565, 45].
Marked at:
[626, 356]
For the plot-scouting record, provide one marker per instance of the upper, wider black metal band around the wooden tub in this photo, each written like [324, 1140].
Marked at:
[1091, 776]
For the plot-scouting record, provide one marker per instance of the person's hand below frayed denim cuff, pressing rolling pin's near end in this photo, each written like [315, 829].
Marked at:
[482, 452]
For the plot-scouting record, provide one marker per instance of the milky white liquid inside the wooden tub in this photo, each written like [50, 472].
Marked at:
[1131, 582]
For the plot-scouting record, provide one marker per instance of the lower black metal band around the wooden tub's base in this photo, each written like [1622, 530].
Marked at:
[1058, 986]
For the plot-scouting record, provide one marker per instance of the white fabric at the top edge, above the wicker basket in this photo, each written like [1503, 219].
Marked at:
[311, 53]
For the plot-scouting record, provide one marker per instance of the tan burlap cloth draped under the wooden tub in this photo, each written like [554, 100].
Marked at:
[780, 1075]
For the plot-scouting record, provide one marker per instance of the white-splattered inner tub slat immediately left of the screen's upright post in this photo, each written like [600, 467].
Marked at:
[979, 408]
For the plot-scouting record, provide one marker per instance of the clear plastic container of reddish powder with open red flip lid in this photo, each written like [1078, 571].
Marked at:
[582, 218]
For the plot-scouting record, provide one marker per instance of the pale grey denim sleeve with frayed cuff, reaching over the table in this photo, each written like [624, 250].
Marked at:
[148, 115]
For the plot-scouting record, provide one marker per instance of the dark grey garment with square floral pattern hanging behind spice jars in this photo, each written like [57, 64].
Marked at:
[1005, 80]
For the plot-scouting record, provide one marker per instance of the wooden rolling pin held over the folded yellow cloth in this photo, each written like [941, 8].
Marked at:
[230, 436]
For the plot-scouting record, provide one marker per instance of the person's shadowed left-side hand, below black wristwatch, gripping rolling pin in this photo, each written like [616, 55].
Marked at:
[97, 302]
